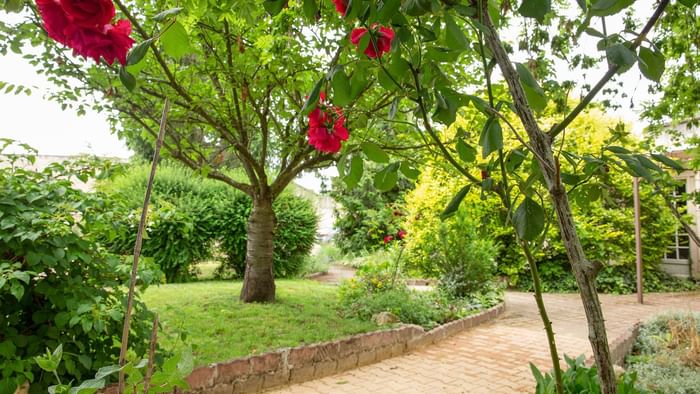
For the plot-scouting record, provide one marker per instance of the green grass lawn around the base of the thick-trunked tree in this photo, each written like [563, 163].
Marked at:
[220, 328]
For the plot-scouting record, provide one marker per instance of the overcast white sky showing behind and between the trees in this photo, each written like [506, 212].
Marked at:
[42, 124]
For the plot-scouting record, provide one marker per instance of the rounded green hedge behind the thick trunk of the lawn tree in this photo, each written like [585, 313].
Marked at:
[192, 219]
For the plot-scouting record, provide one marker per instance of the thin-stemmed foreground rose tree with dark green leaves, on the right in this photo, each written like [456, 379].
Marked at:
[433, 37]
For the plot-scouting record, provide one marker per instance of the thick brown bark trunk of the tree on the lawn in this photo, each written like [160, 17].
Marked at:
[259, 281]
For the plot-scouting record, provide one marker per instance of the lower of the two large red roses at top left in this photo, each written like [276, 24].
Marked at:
[110, 43]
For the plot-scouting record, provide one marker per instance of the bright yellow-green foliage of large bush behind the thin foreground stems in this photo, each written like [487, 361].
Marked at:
[602, 209]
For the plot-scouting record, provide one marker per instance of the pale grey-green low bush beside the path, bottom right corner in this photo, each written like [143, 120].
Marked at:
[663, 358]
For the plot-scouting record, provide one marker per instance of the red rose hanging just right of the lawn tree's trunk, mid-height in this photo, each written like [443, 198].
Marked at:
[327, 127]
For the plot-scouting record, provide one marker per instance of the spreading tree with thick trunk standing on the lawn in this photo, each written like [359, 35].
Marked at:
[237, 80]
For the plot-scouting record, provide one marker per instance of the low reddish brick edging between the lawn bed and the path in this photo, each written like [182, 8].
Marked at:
[304, 363]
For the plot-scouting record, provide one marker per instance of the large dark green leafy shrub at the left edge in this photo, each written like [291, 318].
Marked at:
[57, 286]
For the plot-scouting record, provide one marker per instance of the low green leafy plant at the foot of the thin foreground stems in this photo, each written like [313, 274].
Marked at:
[579, 378]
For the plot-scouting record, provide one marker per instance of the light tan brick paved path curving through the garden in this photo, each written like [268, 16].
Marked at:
[493, 358]
